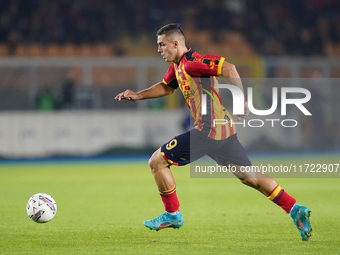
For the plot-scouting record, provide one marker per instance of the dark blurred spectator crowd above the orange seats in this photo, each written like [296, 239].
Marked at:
[281, 27]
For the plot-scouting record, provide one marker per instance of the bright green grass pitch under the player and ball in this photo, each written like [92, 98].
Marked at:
[101, 207]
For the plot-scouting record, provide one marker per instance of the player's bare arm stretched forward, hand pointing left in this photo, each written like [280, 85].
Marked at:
[155, 91]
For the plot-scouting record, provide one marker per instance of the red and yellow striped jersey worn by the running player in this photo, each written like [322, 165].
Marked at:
[196, 75]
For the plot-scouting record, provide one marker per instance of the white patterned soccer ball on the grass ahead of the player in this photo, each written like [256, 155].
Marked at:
[41, 208]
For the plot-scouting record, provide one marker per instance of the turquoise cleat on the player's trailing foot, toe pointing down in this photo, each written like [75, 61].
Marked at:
[300, 215]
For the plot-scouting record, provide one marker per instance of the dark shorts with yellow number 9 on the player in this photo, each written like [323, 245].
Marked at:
[192, 145]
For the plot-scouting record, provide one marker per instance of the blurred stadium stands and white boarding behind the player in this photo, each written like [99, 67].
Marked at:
[62, 63]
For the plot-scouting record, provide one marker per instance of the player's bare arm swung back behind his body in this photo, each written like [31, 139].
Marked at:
[230, 74]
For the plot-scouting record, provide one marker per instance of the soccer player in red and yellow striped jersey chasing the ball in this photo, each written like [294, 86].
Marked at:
[195, 75]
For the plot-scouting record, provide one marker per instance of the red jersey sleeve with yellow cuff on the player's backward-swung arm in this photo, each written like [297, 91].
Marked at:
[206, 65]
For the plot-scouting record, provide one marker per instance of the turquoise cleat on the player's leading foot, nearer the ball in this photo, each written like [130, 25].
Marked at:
[165, 220]
